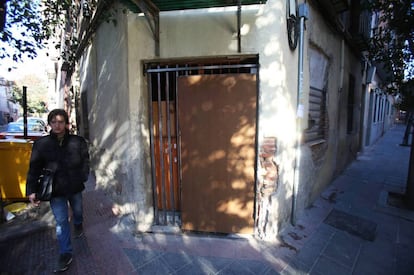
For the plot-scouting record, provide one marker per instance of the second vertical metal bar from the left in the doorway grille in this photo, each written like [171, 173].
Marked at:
[161, 144]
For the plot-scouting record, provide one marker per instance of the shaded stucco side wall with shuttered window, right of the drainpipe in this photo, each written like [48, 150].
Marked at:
[322, 161]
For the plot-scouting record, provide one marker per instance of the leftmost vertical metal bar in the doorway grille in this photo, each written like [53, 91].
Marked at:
[153, 167]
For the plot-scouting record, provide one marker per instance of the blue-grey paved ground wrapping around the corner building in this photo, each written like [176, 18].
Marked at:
[350, 229]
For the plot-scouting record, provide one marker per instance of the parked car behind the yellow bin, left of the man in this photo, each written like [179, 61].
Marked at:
[16, 130]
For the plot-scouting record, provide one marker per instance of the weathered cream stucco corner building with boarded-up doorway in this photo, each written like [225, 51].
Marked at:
[228, 118]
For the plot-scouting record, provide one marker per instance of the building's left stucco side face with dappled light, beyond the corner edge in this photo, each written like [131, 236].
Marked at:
[106, 86]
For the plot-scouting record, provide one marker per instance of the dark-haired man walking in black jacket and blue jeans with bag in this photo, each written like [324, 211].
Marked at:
[68, 156]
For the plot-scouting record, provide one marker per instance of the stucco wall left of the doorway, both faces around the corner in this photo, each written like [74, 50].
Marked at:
[111, 77]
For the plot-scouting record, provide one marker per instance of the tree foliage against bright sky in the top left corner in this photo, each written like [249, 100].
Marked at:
[42, 22]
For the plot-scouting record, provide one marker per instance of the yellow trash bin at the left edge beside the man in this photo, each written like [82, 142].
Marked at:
[14, 164]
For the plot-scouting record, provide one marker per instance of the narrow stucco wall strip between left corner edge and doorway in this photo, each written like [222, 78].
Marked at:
[141, 46]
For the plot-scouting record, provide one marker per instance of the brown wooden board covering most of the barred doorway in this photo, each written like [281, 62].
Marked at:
[217, 116]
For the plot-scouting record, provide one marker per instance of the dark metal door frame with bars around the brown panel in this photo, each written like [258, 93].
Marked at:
[162, 86]
